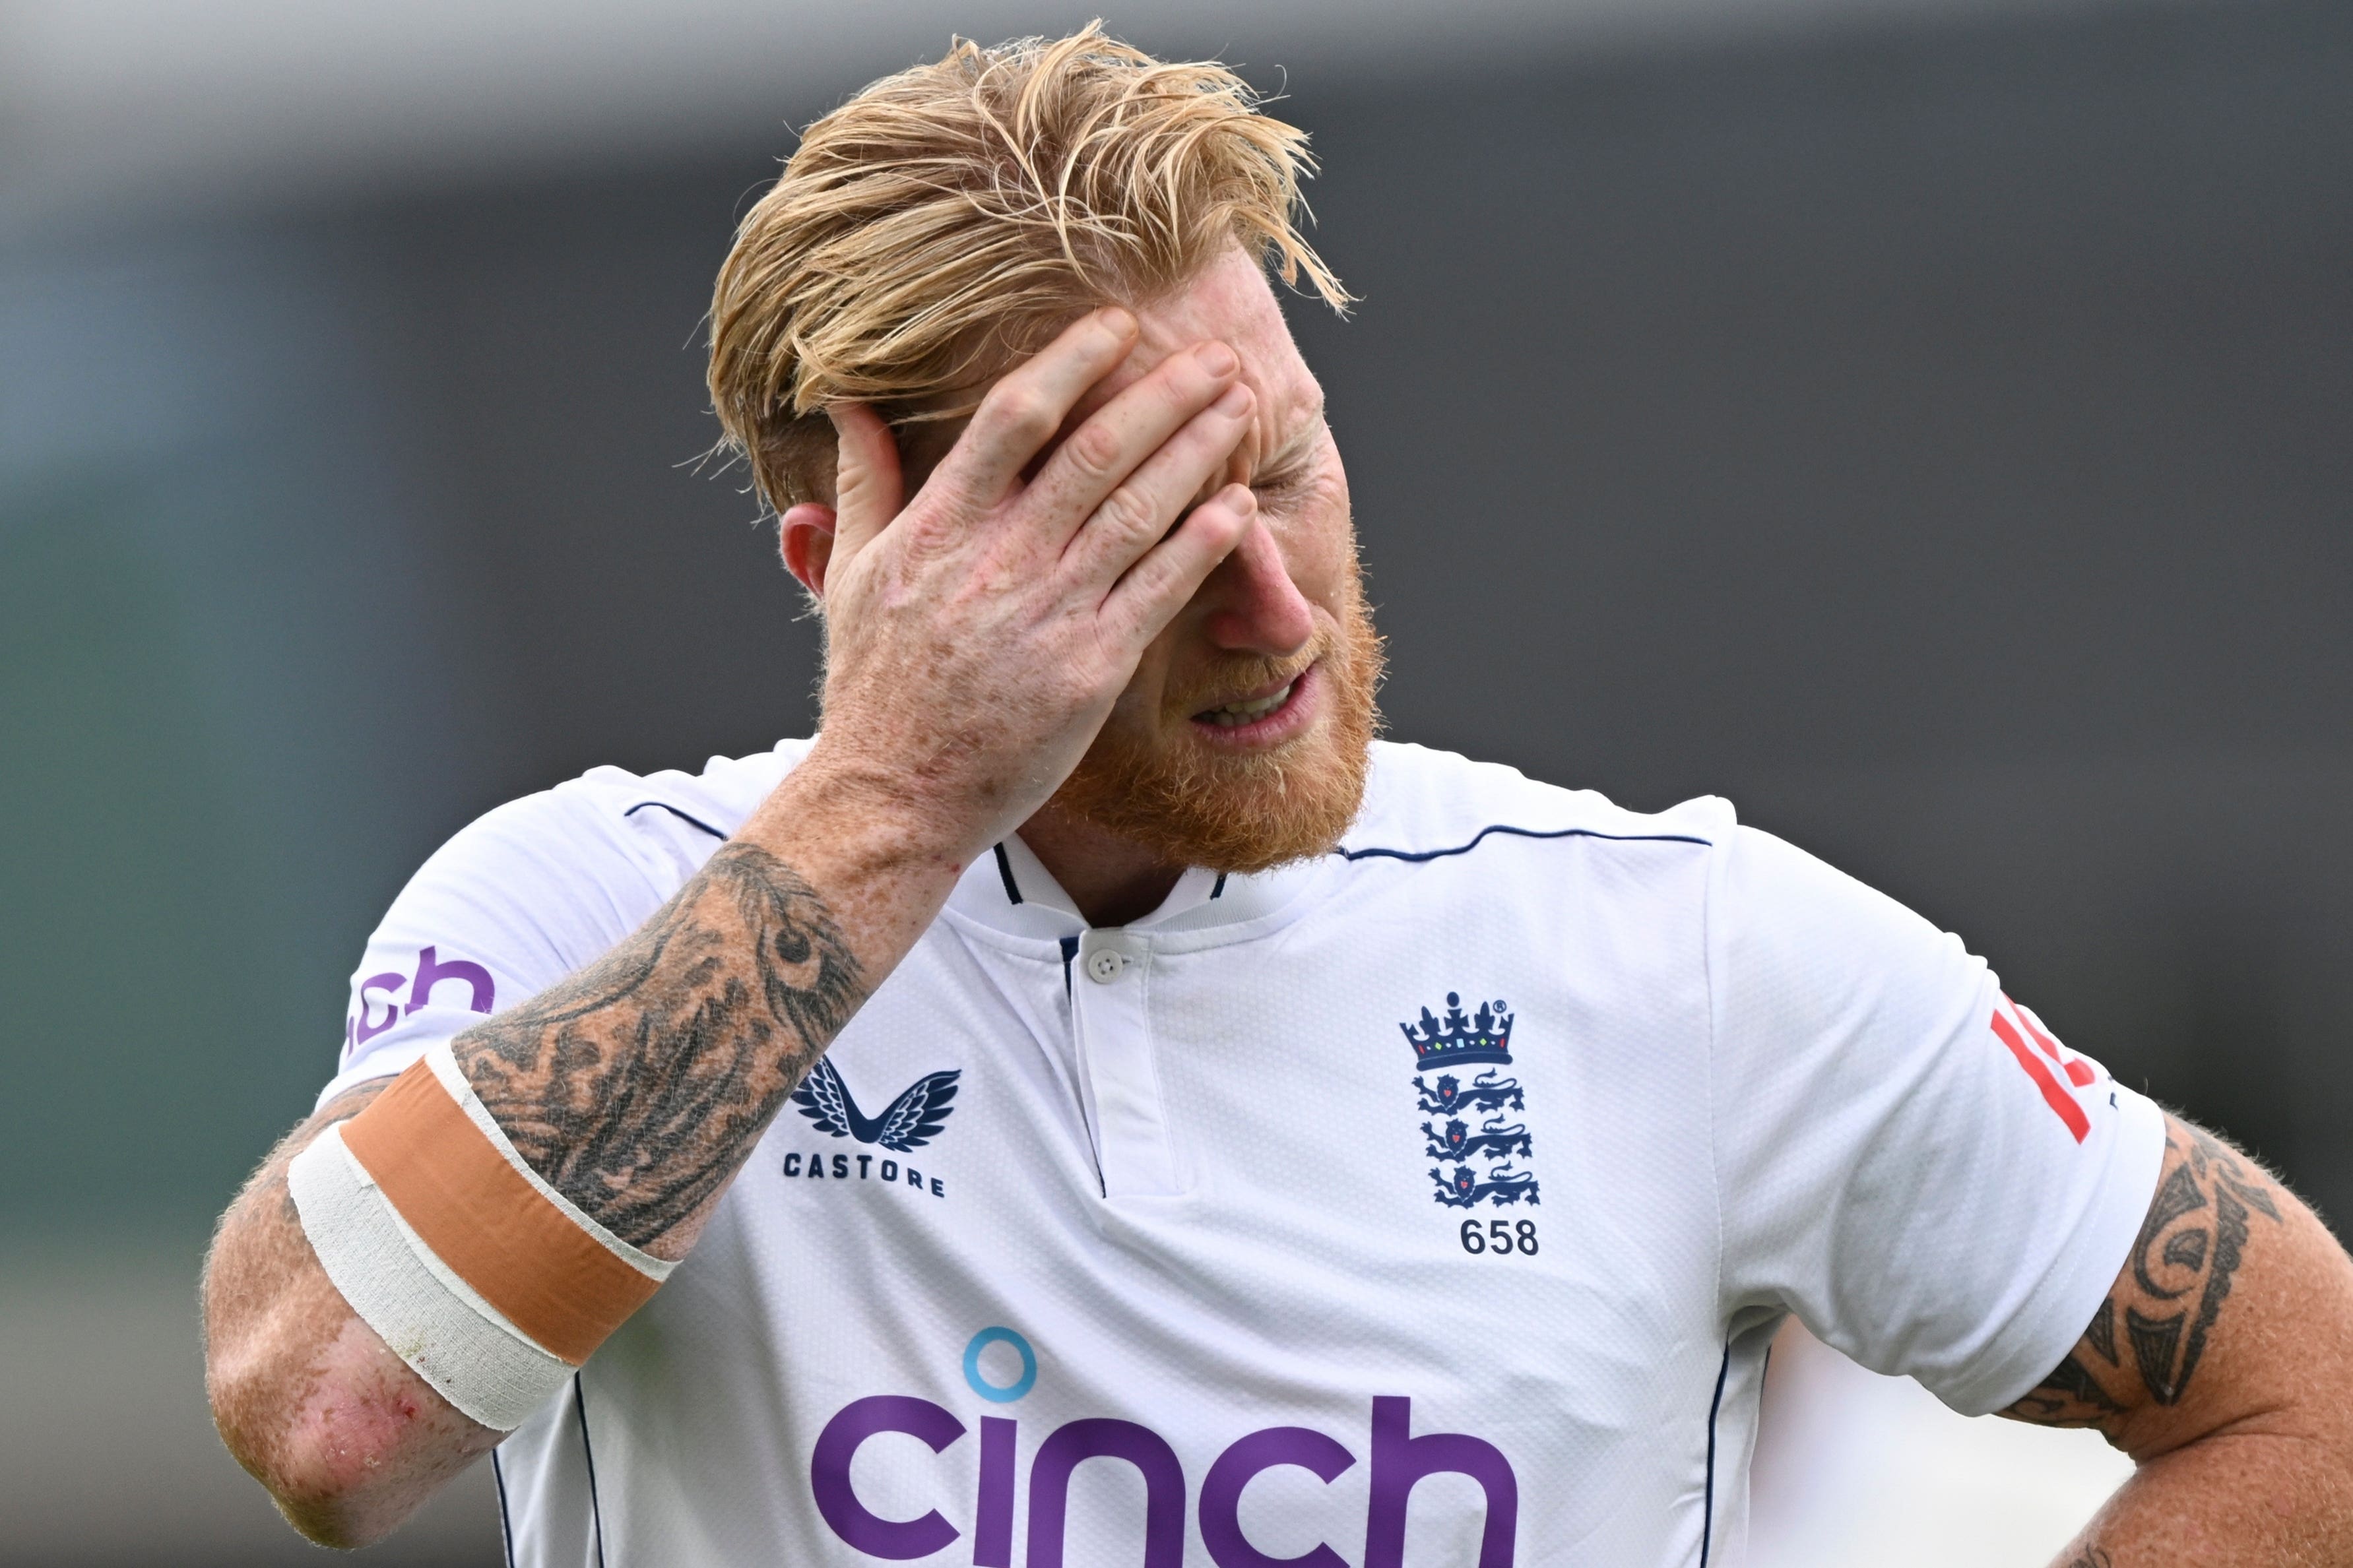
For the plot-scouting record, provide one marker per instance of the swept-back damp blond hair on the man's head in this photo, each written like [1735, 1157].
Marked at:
[954, 217]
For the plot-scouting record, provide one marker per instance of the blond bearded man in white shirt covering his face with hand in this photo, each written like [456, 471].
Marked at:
[1095, 1106]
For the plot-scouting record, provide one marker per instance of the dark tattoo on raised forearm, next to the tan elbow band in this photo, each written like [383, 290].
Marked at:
[639, 1085]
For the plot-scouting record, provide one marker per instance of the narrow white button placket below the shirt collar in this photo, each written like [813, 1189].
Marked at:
[1114, 1038]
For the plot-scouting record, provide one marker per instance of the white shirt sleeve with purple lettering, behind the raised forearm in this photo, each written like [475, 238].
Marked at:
[516, 902]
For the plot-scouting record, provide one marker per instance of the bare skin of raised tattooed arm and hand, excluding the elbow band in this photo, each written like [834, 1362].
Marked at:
[980, 634]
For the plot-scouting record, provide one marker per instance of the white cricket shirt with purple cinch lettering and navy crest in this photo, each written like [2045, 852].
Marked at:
[1429, 1205]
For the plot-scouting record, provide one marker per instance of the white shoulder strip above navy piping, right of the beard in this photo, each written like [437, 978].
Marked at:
[1427, 805]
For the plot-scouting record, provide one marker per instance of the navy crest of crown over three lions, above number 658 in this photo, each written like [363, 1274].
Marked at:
[1481, 1148]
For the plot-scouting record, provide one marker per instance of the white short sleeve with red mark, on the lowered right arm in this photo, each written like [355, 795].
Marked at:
[1905, 1158]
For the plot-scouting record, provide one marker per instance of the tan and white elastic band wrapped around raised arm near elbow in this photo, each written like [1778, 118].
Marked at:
[486, 1280]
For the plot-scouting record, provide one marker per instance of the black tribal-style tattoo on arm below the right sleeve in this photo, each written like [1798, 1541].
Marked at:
[2154, 1329]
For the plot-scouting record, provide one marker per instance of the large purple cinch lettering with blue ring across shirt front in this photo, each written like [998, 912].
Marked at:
[1399, 1461]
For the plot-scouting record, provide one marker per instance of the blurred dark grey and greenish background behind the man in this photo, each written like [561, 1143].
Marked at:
[1928, 424]
